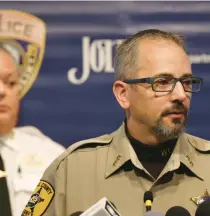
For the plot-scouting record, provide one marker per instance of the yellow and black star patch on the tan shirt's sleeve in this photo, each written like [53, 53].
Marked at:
[40, 199]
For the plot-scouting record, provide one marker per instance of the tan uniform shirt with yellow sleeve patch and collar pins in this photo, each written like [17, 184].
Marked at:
[99, 167]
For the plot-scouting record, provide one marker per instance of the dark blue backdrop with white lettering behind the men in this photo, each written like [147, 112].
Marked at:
[72, 97]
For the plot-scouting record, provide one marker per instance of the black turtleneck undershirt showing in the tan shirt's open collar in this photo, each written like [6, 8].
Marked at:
[152, 157]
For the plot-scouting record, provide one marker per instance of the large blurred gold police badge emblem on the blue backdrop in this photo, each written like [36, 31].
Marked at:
[23, 36]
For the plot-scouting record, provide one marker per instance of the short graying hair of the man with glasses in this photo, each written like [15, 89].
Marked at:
[125, 62]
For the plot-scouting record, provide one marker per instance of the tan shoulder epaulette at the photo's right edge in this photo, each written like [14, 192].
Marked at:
[199, 144]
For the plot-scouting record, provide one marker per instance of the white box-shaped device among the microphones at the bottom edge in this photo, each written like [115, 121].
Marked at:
[102, 208]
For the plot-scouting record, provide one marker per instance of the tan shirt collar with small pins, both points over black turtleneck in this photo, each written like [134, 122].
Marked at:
[120, 151]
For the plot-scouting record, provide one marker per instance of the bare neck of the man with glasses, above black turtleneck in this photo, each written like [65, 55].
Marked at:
[142, 133]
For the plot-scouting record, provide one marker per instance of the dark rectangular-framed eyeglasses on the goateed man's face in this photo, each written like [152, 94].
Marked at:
[168, 83]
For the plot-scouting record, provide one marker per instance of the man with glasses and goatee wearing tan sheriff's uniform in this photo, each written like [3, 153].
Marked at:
[150, 151]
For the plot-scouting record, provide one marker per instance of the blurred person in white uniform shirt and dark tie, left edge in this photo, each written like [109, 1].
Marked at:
[25, 152]
